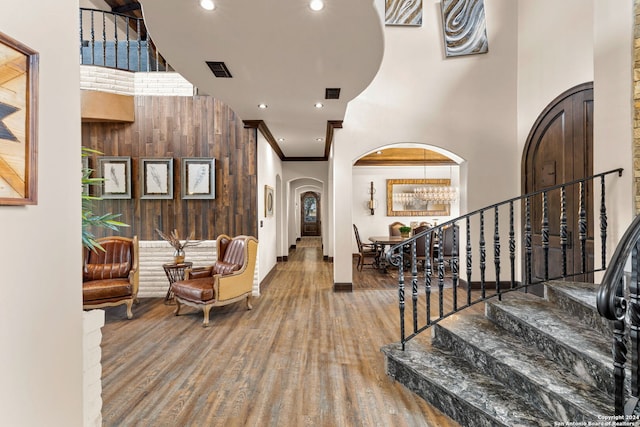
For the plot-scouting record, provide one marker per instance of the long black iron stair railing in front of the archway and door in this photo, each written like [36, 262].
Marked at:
[403, 255]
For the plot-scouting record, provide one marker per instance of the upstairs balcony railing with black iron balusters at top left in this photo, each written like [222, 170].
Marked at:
[114, 40]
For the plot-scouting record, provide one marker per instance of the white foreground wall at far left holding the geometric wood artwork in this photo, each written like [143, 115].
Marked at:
[41, 306]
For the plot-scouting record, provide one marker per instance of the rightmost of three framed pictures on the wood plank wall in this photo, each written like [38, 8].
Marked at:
[198, 178]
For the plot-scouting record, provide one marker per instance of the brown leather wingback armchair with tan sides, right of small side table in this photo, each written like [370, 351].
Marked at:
[229, 280]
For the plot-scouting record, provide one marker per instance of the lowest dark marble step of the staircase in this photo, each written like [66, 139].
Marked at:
[451, 378]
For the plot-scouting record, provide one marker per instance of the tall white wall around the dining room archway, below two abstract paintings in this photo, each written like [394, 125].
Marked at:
[466, 105]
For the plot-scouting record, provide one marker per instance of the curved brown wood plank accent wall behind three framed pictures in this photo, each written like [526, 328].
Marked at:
[177, 127]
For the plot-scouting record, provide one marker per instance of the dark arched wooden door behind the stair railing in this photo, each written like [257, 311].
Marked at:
[559, 149]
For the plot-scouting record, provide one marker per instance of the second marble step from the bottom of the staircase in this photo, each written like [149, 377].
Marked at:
[520, 364]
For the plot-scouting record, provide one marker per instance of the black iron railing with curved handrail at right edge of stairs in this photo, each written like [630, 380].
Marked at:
[618, 300]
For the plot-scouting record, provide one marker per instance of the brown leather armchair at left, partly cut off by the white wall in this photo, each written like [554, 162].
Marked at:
[110, 277]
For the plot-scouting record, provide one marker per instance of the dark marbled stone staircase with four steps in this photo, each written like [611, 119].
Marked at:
[528, 361]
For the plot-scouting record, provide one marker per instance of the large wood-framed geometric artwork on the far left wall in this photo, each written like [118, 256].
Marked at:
[18, 123]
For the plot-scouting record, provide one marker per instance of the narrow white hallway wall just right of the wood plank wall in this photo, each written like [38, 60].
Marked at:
[269, 169]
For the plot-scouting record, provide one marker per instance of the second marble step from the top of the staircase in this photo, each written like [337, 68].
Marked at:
[556, 333]
